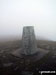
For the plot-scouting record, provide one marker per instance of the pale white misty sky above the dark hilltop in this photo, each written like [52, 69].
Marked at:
[14, 14]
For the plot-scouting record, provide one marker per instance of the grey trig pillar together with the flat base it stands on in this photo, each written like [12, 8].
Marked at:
[29, 46]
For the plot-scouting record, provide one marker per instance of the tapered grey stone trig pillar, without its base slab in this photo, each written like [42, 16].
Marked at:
[28, 41]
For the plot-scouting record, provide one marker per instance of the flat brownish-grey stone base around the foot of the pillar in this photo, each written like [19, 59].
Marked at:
[34, 57]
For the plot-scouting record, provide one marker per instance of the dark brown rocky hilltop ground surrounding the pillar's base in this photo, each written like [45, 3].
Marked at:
[10, 64]
